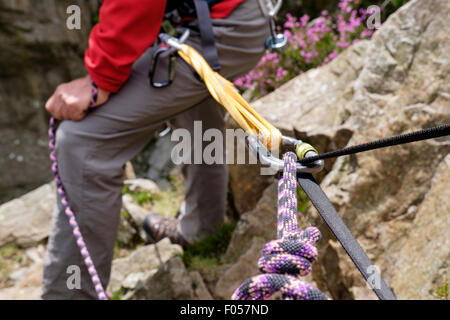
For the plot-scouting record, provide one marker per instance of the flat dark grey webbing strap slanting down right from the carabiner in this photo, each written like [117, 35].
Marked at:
[344, 236]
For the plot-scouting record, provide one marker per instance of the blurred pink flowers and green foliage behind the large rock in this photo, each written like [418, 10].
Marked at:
[317, 32]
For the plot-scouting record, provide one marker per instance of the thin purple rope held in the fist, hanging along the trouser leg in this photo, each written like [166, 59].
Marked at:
[68, 211]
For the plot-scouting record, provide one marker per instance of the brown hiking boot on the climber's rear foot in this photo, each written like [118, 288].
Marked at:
[159, 227]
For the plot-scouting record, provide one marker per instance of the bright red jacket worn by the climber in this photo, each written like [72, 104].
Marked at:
[126, 29]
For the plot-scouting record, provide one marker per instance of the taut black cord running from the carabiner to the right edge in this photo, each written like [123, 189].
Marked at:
[430, 133]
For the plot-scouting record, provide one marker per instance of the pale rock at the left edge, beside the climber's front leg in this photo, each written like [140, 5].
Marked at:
[27, 220]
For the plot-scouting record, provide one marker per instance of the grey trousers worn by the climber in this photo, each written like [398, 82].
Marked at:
[92, 152]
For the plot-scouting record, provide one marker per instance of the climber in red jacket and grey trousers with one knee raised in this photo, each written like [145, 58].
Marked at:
[93, 144]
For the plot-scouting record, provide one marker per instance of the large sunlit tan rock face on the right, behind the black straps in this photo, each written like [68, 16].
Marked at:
[395, 200]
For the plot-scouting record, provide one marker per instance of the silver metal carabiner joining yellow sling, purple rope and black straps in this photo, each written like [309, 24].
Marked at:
[302, 149]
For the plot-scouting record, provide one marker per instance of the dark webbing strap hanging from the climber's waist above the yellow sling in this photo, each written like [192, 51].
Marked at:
[209, 48]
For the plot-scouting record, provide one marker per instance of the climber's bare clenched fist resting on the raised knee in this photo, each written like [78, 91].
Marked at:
[70, 101]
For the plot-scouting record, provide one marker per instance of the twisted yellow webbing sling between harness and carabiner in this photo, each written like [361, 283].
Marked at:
[223, 91]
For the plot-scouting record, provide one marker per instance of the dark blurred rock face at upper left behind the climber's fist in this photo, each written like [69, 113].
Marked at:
[37, 52]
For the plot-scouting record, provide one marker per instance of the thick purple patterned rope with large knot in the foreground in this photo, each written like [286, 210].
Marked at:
[289, 257]
